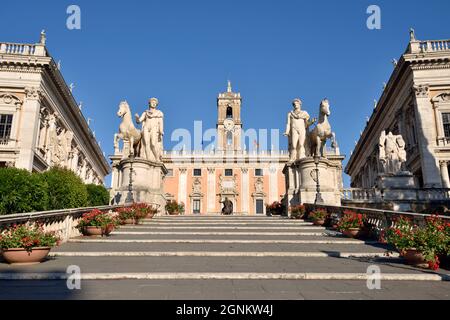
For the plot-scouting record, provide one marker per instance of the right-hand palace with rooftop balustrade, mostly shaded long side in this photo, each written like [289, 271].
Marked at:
[416, 105]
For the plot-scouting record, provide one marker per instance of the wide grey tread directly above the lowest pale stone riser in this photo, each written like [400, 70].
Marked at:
[295, 265]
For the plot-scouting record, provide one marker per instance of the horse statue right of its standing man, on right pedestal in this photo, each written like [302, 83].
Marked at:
[322, 131]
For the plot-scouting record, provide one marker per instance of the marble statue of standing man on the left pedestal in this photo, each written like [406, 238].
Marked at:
[152, 131]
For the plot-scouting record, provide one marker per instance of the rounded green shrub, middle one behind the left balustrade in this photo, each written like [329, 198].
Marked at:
[65, 189]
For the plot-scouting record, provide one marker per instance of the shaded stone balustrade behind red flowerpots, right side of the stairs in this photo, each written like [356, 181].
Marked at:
[376, 218]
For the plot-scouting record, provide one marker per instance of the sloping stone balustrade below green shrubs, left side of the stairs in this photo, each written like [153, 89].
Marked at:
[63, 222]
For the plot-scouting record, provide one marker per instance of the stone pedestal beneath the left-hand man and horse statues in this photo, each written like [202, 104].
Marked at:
[147, 182]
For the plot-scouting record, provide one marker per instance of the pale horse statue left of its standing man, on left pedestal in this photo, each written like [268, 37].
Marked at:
[127, 130]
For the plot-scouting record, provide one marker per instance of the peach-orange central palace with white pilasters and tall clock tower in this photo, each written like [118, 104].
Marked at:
[202, 179]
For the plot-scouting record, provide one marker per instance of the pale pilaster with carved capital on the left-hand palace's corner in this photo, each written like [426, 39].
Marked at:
[29, 130]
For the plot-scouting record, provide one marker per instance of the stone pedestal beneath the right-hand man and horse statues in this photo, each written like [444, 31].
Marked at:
[301, 181]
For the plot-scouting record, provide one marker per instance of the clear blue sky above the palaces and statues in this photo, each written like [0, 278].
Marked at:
[184, 51]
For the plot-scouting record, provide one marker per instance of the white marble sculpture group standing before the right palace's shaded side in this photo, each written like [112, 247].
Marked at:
[392, 154]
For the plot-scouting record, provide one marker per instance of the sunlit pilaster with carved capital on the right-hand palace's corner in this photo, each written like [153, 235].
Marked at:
[425, 127]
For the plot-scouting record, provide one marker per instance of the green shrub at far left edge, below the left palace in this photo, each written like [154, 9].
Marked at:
[22, 191]
